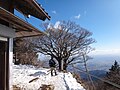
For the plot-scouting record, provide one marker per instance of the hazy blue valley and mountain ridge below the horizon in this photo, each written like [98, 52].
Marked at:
[99, 65]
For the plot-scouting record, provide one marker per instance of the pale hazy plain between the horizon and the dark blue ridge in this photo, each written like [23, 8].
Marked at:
[102, 62]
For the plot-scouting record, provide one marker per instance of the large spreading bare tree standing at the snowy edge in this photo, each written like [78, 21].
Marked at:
[64, 42]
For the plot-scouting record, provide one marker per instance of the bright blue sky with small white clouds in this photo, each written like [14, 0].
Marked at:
[102, 17]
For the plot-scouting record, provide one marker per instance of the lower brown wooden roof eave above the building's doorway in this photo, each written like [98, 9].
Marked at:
[26, 28]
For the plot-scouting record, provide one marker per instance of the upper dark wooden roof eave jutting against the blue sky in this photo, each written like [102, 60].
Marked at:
[36, 8]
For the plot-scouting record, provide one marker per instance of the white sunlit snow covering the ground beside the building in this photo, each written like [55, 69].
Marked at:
[23, 74]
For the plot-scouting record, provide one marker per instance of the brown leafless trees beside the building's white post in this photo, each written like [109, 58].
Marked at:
[23, 51]
